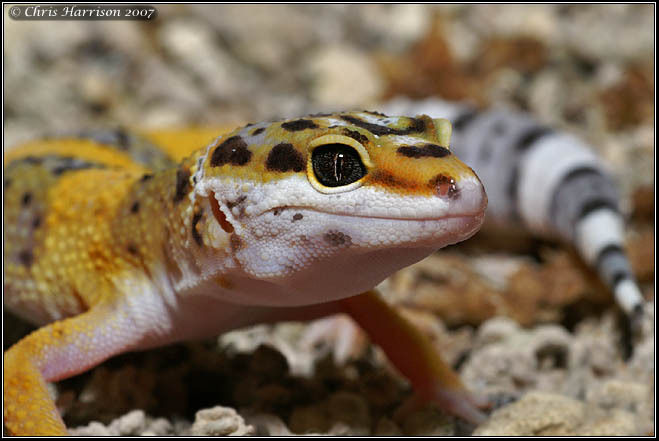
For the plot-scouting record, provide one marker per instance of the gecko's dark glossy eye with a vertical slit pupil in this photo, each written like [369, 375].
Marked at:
[336, 165]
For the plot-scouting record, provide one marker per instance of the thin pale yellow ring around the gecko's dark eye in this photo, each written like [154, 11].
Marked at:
[337, 140]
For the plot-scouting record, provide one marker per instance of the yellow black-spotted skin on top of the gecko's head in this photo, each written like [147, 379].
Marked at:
[391, 169]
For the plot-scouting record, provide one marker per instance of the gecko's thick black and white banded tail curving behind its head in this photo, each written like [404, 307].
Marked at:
[547, 181]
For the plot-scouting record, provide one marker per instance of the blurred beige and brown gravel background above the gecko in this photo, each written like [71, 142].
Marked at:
[588, 68]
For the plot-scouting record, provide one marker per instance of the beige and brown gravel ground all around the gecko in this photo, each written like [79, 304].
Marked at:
[522, 321]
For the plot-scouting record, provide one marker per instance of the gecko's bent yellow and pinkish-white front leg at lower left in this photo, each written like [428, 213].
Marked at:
[60, 350]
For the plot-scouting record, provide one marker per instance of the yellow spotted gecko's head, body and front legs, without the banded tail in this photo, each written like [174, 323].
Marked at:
[118, 241]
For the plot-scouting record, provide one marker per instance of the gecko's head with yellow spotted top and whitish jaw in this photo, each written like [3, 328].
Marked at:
[327, 206]
